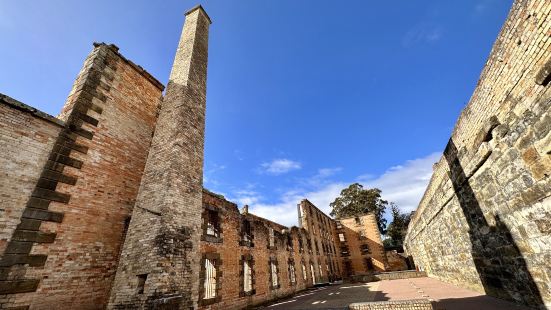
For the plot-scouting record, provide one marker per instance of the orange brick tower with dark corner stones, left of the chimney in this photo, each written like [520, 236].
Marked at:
[64, 252]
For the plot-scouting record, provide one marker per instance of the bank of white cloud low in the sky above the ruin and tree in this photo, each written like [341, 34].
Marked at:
[403, 184]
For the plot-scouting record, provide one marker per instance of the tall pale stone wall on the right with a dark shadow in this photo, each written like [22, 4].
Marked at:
[484, 221]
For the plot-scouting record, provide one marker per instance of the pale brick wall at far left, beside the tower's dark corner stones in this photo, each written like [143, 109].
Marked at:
[26, 138]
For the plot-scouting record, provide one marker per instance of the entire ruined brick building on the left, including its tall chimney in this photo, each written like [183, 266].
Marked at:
[104, 206]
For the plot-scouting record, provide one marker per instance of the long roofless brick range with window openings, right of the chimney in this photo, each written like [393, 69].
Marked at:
[313, 251]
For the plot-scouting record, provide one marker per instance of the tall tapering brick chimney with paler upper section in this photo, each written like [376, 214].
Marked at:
[160, 262]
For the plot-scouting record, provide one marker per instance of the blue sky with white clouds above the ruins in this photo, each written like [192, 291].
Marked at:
[304, 97]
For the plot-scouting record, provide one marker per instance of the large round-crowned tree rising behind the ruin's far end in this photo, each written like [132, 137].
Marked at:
[355, 200]
